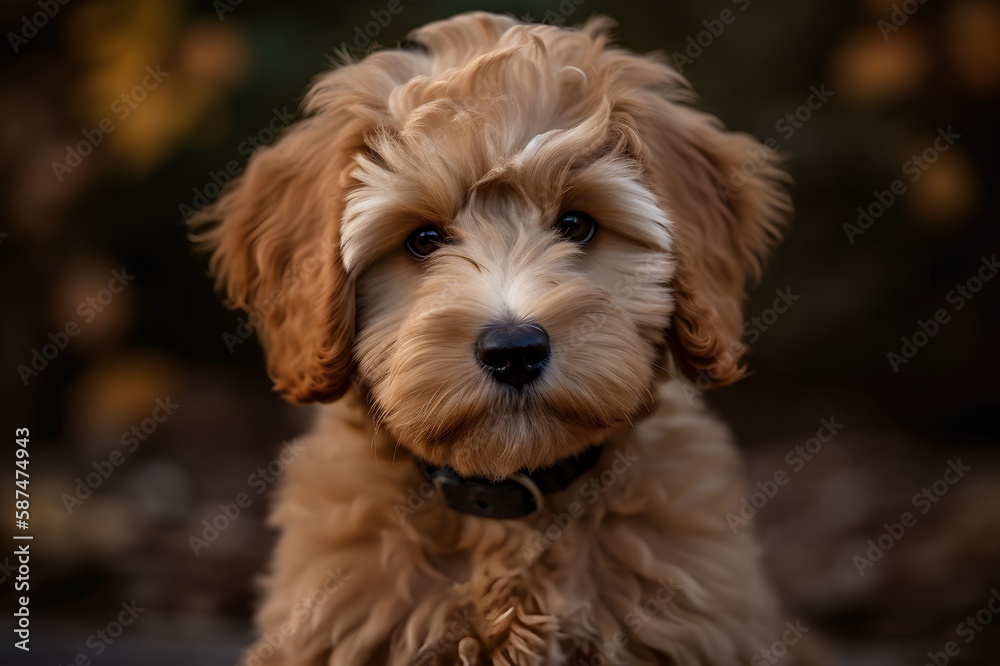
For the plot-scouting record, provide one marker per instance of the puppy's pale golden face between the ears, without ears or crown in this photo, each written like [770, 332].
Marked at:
[520, 316]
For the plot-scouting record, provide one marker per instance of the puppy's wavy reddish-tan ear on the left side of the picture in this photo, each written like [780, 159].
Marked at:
[274, 236]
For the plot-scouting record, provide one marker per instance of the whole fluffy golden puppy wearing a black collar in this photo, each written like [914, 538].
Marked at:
[507, 256]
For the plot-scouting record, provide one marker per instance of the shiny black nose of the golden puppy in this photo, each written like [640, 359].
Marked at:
[513, 353]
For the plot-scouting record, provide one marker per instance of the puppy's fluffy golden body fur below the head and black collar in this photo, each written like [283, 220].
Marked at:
[632, 564]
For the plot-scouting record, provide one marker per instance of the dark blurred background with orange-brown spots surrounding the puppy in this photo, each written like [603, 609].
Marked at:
[148, 406]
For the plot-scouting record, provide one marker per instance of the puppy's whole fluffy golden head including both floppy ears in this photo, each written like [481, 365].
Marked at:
[505, 237]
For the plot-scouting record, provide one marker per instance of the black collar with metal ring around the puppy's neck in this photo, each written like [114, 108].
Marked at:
[520, 495]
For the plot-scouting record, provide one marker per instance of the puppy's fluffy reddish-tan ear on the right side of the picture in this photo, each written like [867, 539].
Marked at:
[725, 195]
